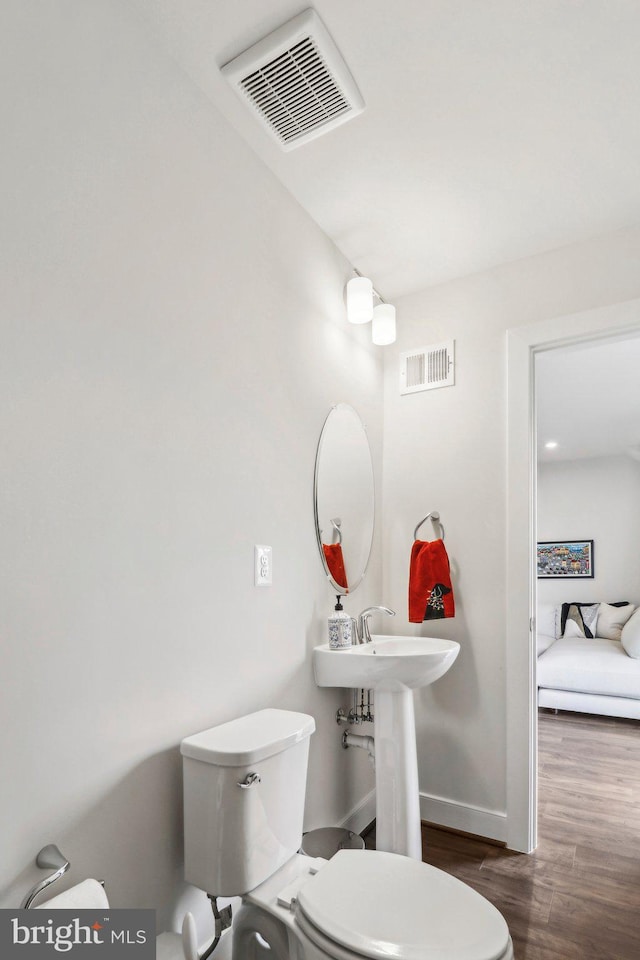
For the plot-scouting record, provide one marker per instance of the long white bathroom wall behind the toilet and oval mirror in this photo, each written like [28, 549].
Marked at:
[172, 337]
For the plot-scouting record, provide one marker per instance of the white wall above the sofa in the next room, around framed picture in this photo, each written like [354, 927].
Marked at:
[596, 499]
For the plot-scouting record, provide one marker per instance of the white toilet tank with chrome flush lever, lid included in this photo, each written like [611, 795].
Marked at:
[244, 790]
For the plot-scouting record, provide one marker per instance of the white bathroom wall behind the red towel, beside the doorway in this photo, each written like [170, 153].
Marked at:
[446, 450]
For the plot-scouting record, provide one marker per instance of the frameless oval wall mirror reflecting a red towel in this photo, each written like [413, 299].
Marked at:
[344, 498]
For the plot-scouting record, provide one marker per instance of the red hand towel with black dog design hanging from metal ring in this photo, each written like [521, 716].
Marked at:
[430, 590]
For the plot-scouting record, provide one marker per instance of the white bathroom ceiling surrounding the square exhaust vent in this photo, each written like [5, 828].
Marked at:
[493, 129]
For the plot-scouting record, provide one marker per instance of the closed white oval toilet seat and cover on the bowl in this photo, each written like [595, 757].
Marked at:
[379, 905]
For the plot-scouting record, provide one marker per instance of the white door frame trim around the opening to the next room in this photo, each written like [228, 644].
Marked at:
[620, 319]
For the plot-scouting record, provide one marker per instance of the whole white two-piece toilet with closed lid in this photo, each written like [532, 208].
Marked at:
[244, 793]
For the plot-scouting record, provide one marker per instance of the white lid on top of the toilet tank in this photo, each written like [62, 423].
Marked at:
[249, 739]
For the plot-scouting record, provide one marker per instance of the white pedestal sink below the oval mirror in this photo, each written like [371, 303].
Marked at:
[392, 667]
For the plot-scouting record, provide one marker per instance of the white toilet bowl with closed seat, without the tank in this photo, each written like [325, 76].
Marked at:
[369, 904]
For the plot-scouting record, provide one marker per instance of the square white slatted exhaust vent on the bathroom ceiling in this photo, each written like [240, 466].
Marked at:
[296, 81]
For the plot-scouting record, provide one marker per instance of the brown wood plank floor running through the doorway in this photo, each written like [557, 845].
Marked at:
[577, 897]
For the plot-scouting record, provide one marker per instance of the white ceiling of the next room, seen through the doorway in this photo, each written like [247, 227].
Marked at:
[588, 400]
